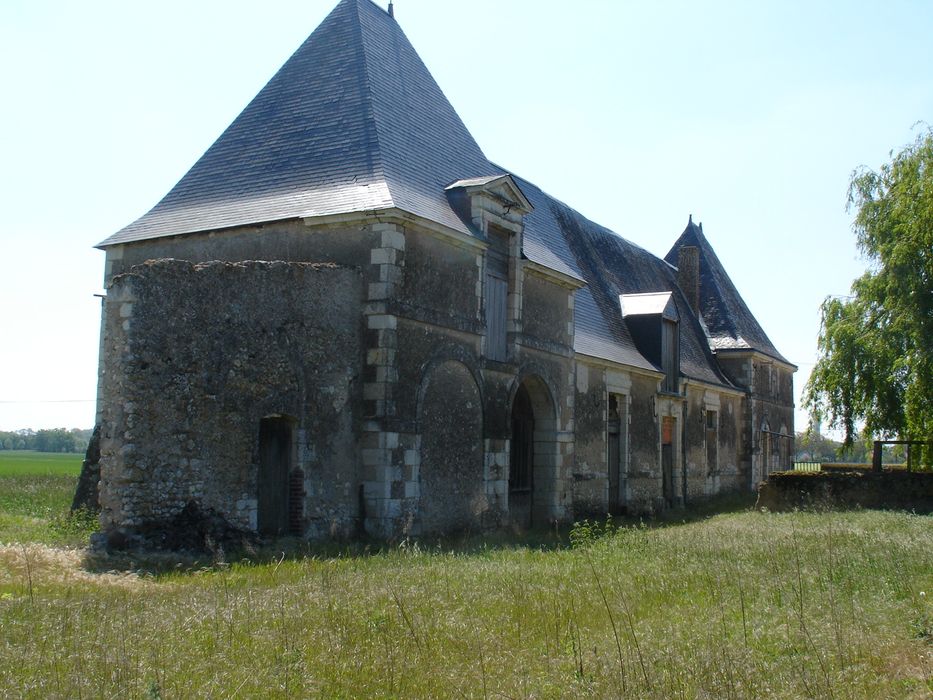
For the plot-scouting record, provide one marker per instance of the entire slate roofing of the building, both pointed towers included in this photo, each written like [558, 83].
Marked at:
[354, 122]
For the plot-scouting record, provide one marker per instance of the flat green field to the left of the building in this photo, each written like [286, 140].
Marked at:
[36, 489]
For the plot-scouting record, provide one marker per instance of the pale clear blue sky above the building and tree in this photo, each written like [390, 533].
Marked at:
[749, 115]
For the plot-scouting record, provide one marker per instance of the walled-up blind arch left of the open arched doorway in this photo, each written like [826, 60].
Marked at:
[450, 479]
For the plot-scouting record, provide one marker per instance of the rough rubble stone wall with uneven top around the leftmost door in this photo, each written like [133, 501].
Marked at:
[196, 356]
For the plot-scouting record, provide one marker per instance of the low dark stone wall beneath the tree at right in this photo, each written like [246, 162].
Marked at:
[893, 490]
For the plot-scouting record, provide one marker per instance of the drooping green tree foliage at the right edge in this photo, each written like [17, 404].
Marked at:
[875, 365]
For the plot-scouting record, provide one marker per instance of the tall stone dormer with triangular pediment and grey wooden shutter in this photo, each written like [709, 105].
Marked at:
[494, 208]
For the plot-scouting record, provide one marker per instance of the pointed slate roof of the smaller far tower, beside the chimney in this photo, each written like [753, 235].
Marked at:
[730, 324]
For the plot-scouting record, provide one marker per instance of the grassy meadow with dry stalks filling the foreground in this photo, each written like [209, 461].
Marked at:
[740, 604]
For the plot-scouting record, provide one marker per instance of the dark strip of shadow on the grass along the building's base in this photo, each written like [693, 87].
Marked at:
[260, 552]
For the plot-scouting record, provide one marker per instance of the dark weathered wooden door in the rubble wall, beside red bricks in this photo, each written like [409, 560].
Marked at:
[275, 452]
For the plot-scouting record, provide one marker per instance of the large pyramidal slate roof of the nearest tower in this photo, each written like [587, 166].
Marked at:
[352, 122]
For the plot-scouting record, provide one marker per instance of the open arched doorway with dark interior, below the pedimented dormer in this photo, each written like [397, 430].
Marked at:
[534, 457]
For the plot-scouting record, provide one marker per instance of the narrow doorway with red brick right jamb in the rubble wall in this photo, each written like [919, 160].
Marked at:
[279, 484]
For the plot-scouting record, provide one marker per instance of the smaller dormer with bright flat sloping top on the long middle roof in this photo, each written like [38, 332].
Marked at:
[654, 323]
